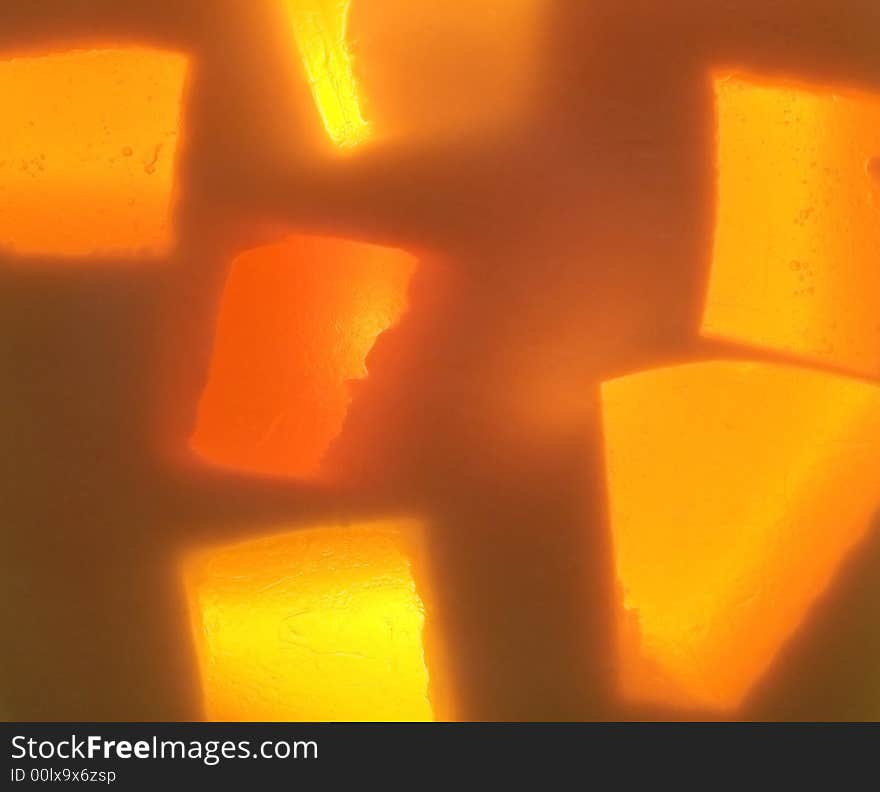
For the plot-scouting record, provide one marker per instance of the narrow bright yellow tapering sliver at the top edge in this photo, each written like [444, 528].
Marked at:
[319, 27]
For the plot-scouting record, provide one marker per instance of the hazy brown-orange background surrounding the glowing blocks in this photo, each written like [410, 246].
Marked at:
[565, 245]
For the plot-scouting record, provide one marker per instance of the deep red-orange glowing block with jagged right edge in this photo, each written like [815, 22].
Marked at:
[297, 321]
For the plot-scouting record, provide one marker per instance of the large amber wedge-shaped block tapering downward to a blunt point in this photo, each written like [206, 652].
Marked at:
[735, 490]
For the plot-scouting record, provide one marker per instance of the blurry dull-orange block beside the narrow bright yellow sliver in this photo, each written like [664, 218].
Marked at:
[429, 70]
